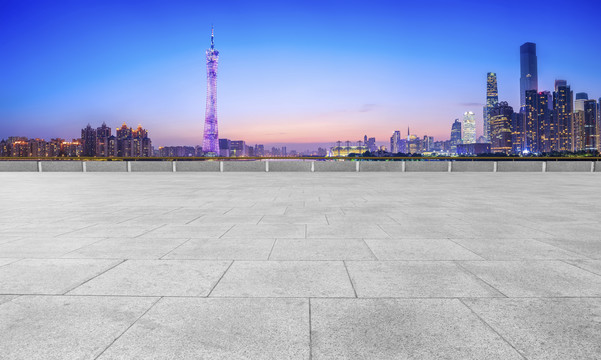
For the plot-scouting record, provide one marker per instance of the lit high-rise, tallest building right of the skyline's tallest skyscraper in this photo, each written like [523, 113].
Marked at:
[562, 114]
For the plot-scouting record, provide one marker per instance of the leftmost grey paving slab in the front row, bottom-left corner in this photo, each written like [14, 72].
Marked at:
[65, 327]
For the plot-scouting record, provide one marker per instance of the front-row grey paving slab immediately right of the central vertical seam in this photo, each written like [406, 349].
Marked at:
[401, 329]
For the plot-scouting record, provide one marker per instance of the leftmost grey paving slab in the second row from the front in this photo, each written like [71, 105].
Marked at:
[49, 276]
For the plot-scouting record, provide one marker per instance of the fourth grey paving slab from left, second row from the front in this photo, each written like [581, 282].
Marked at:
[415, 279]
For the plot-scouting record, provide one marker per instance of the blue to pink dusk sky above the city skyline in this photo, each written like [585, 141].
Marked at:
[301, 73]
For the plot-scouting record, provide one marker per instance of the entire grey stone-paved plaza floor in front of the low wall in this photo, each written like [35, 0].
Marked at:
[300, 266]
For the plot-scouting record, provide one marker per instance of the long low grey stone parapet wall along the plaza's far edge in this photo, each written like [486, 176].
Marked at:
[305, 165]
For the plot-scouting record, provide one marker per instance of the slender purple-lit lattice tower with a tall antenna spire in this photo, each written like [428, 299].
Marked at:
[210, 143]
